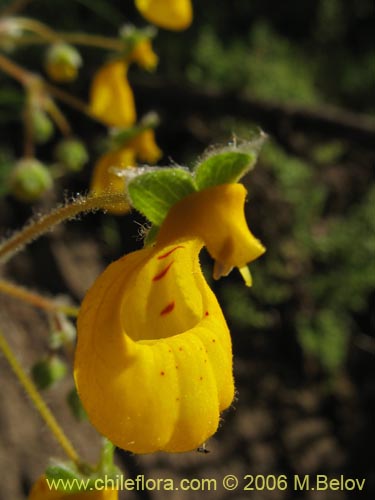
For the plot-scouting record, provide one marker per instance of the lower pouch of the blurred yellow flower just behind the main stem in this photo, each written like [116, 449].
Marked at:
[104, 179]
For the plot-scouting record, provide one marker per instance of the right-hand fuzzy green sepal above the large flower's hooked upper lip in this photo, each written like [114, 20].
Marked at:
[224, 168]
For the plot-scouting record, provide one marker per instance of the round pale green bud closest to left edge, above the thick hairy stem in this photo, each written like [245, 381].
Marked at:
[30, 179]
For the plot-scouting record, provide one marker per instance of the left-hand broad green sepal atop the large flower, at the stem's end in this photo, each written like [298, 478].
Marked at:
[155, 192]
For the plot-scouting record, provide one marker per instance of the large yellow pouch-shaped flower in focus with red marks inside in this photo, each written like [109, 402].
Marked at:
[153, 363]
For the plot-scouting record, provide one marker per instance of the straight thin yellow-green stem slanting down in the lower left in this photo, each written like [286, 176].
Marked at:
[38, 401]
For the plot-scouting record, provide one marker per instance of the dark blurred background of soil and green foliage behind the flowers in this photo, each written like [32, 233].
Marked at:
[303, 336]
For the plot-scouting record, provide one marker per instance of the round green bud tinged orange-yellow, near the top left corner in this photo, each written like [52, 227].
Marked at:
[62, 62]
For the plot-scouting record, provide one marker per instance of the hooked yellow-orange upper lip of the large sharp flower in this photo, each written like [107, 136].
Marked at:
[215, 216]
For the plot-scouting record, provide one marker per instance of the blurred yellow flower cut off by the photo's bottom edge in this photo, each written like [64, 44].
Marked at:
[41, 491]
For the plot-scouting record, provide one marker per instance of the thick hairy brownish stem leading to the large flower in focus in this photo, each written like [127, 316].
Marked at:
[45, 223]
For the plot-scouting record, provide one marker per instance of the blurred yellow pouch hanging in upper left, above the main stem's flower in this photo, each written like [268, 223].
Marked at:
[111, 98]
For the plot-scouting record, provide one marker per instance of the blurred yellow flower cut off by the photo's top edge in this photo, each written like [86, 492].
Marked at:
[169, 14]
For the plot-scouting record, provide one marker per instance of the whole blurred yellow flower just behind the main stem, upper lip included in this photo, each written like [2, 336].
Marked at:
[104, 178]
